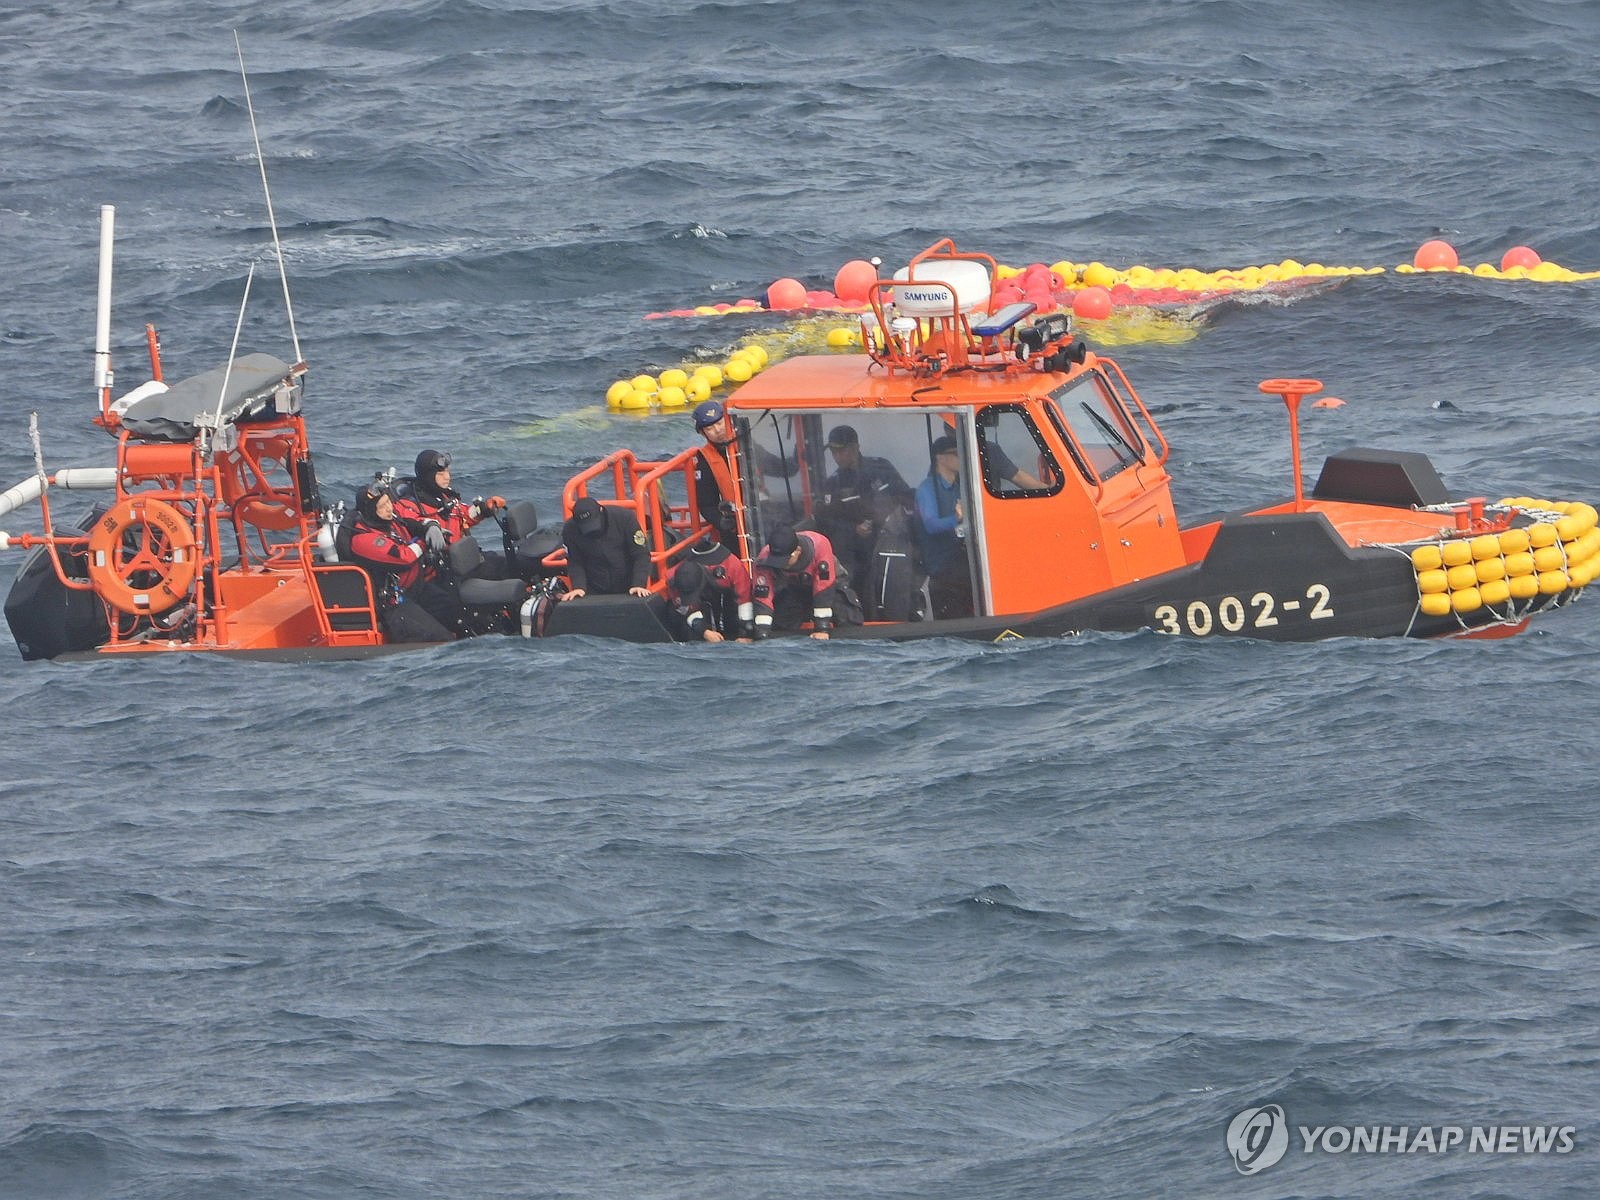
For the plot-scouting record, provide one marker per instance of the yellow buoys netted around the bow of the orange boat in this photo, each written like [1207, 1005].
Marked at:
[1558, 553]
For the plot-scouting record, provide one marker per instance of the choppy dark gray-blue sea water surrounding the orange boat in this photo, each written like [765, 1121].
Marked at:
[580, 919]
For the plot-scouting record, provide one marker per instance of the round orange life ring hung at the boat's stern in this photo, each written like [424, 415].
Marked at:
[142, 556]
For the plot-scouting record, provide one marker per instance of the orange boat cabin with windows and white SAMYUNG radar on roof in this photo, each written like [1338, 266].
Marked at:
[1058, 466]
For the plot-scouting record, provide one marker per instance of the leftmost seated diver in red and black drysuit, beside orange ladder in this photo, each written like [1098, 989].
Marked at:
[399, 554]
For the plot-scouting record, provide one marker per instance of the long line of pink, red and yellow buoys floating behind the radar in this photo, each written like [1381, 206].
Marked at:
[1078, 287]
